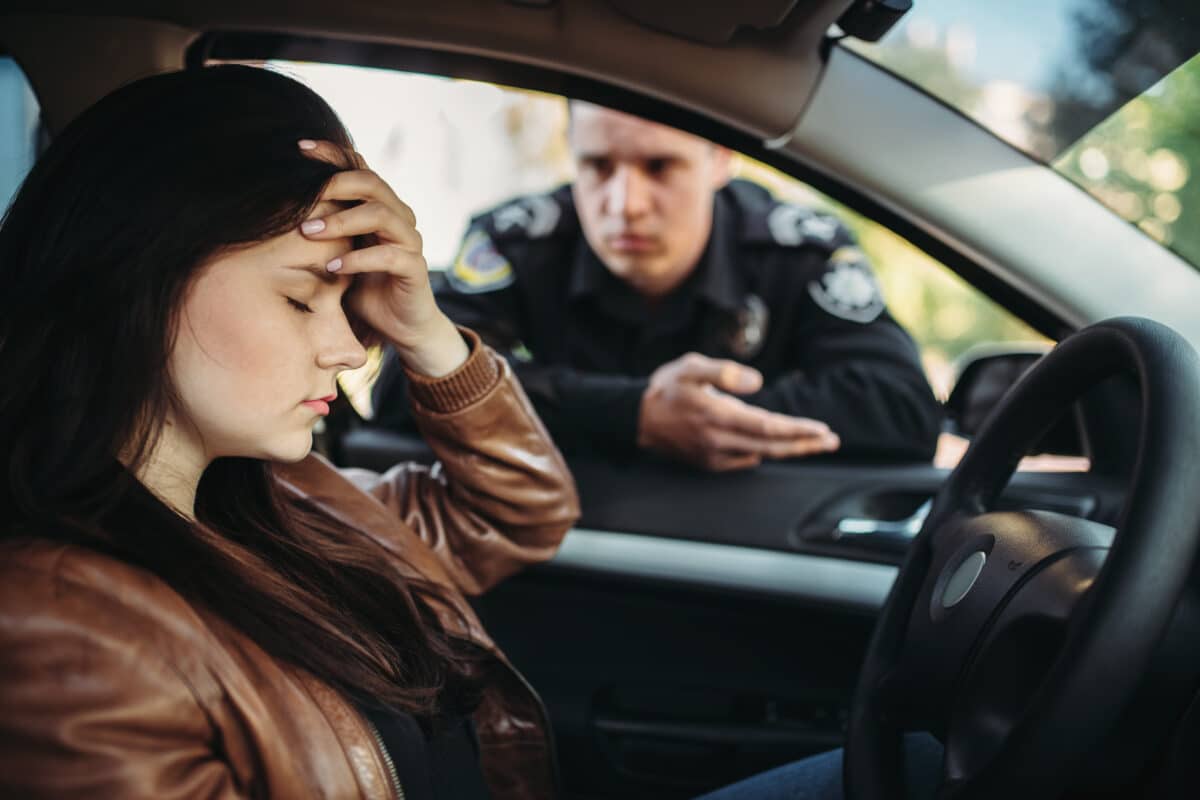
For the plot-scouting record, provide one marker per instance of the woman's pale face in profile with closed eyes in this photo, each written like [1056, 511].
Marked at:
[262, 339]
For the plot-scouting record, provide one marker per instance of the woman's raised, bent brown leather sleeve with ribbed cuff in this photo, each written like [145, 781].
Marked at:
[501, 496]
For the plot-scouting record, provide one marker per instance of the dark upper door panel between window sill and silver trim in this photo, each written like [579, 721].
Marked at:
[793, 507]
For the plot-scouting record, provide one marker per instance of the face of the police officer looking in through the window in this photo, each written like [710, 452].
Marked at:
[645, 195]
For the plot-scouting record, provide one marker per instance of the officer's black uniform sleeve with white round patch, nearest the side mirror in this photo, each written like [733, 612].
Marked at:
[856, 369]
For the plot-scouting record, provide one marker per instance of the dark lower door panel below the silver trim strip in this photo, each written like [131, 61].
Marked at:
[665, 690]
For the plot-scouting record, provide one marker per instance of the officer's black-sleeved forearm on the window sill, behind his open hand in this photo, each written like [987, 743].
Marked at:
[879, 410]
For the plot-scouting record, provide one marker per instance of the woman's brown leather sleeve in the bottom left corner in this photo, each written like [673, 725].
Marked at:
[91, 709]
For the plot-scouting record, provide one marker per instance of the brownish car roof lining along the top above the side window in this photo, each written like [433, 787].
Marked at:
[767, 74]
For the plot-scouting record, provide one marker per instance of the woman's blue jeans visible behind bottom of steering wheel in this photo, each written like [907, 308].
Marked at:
[819, 778]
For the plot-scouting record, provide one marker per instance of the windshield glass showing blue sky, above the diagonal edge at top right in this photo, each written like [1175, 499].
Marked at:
[1039, 74]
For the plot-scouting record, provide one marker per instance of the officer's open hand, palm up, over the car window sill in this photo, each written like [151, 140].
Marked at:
[688, 412]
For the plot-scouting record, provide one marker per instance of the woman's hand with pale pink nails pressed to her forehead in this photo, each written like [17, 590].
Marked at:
[392, 292]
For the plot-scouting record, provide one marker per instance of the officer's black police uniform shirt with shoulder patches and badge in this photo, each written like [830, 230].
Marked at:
[779, 287]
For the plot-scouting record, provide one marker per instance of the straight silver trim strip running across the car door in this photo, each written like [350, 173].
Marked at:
[812, 579]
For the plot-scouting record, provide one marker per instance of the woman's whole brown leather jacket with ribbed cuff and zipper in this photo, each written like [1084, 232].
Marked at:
[112, 685]
